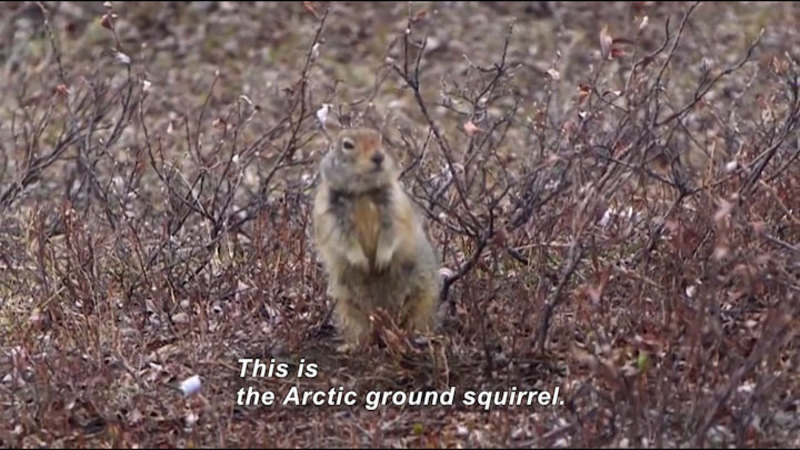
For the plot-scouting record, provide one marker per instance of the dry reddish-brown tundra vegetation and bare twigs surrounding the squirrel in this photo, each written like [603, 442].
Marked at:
[613, 188]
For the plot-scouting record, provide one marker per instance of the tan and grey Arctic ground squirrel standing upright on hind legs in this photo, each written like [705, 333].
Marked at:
[371, 239]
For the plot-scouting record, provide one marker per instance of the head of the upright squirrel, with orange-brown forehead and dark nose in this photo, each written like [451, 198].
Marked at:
[357, 161]
